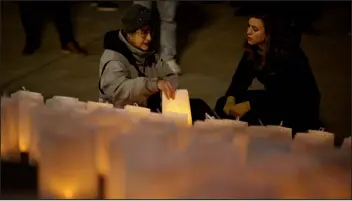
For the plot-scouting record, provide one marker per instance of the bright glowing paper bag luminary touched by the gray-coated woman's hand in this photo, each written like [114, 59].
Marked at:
[180, 105]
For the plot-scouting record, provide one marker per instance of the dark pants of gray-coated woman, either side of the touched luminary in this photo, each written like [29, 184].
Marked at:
[198, 107]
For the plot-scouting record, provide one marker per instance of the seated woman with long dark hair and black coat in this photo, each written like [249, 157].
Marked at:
[273, 56]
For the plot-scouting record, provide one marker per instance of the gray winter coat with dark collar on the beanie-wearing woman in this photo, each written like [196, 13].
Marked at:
[129, 75]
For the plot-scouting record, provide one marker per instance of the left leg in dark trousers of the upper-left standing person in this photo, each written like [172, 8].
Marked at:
[32, 22]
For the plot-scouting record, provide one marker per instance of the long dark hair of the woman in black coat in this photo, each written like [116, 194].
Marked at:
[282, 38]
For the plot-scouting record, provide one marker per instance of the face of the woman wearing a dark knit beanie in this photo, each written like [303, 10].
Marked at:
[141, 38]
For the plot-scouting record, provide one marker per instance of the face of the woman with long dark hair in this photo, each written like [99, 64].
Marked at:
[256, 32]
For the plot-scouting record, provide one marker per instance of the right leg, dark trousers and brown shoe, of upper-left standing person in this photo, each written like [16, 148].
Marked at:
[64, 26]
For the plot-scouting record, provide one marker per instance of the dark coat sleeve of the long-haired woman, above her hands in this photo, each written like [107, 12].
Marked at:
[241, 80]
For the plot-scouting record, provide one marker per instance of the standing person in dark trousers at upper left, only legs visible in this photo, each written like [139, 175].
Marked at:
[32, 17]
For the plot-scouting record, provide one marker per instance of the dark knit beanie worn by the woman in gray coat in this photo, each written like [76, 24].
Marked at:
[135, 18]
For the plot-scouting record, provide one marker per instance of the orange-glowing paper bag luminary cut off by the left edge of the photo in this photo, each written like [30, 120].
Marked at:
[9, 135]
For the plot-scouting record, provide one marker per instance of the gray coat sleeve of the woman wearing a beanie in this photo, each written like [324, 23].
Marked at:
[115, 83]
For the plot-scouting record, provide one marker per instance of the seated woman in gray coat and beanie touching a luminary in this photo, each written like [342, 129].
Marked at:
[132, 73]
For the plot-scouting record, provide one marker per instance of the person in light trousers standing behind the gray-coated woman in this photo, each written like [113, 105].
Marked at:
[167, 12]
